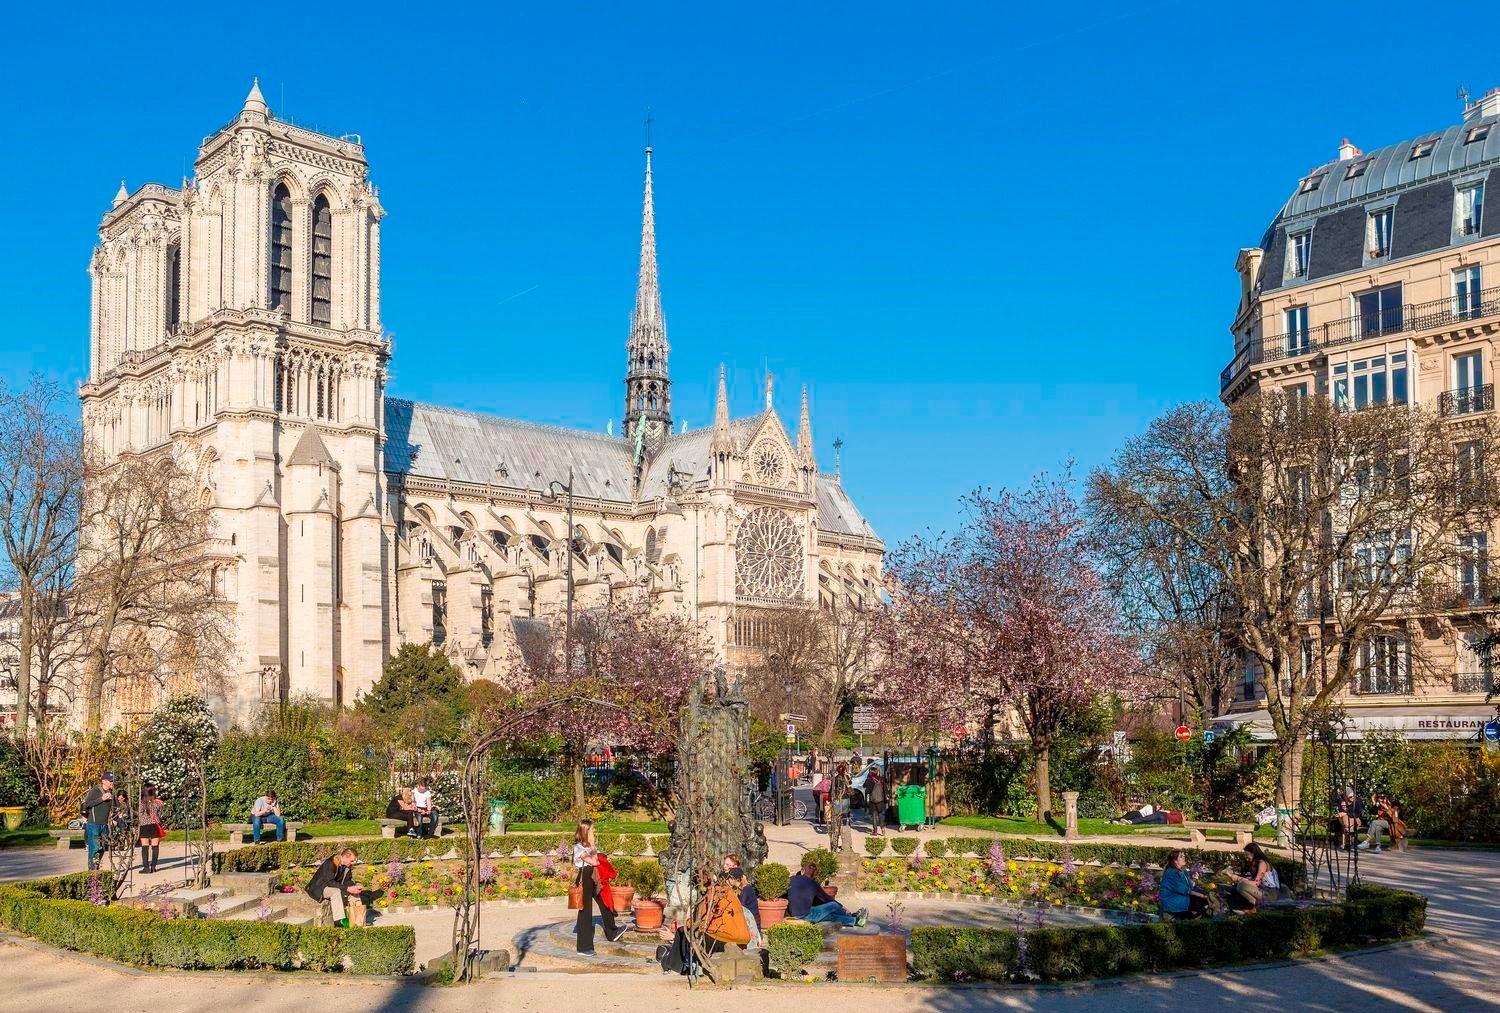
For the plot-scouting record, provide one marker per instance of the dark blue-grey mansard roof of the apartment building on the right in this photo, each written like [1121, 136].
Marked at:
[1420, 190]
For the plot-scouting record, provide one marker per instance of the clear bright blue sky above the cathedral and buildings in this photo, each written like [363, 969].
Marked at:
[989, 239]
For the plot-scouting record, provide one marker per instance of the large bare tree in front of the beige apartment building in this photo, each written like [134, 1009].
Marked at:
[1345, 540]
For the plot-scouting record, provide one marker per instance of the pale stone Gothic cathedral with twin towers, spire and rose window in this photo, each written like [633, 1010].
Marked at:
[236, 322]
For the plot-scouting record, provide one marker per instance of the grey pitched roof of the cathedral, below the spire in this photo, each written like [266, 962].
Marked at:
[430, 442]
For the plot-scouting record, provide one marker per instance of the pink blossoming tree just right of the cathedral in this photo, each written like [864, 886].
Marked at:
[1007, 618]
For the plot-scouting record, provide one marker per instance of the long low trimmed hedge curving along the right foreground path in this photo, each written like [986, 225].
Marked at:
[1369, 916]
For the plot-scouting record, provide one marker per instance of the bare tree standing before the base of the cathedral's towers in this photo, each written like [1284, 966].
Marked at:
[146, 595]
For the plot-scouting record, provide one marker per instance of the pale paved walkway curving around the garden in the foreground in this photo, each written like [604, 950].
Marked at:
[1456, 976]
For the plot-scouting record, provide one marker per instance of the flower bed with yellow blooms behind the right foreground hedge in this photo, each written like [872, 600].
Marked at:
[1111, 888]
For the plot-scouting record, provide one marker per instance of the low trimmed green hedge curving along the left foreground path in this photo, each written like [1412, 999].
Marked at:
[44, 912]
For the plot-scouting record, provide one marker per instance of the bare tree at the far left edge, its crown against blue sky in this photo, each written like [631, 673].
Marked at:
[41, 473]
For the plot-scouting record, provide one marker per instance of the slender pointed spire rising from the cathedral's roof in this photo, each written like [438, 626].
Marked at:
[647, 383]
